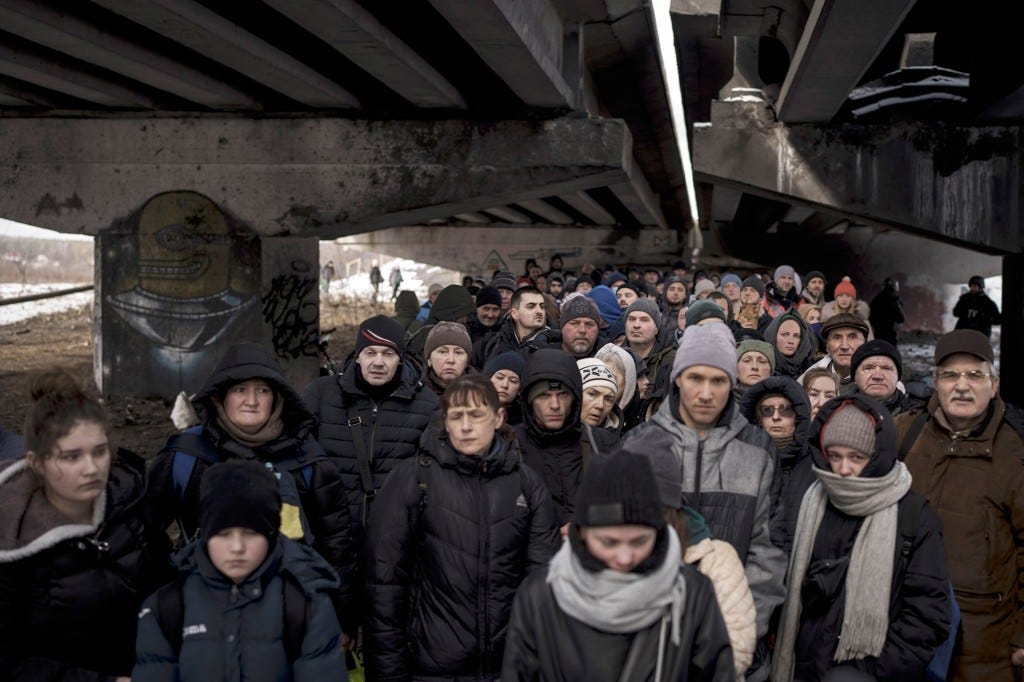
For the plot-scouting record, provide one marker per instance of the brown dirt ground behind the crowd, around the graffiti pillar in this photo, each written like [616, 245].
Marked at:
[140, 423]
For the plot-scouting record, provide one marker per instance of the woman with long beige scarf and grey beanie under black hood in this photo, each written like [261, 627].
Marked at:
[865, 600]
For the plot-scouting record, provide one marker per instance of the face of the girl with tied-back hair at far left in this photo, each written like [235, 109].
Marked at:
[76, 473]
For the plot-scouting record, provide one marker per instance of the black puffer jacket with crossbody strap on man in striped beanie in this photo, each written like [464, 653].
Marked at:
[391, 428]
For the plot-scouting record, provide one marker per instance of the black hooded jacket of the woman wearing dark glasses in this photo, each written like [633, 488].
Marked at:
[794, 460]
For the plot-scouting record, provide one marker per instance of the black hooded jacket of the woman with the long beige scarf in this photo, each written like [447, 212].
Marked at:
[920, 614]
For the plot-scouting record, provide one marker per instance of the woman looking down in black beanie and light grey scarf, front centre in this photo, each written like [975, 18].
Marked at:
[616, 603]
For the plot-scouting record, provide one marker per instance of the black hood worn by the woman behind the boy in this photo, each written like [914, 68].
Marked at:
[252, 361]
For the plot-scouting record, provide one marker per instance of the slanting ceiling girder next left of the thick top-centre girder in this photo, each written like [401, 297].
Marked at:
[364, 40]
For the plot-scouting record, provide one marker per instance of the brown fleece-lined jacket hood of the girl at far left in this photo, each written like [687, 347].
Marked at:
[29, 524]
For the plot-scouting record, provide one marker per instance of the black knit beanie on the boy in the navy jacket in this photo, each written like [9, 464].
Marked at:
[239, 494]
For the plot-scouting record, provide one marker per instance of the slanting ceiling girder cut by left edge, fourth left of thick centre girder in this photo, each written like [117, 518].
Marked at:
[54, 76]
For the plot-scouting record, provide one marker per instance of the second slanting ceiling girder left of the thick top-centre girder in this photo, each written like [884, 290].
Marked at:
[194, 26]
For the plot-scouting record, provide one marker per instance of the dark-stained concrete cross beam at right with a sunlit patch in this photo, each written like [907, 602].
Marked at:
[951, 184]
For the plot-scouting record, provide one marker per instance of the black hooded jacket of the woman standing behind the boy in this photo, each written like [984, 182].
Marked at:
[318, 483]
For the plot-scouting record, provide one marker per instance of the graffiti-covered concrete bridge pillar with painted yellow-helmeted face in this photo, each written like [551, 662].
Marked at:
[181, 280]
